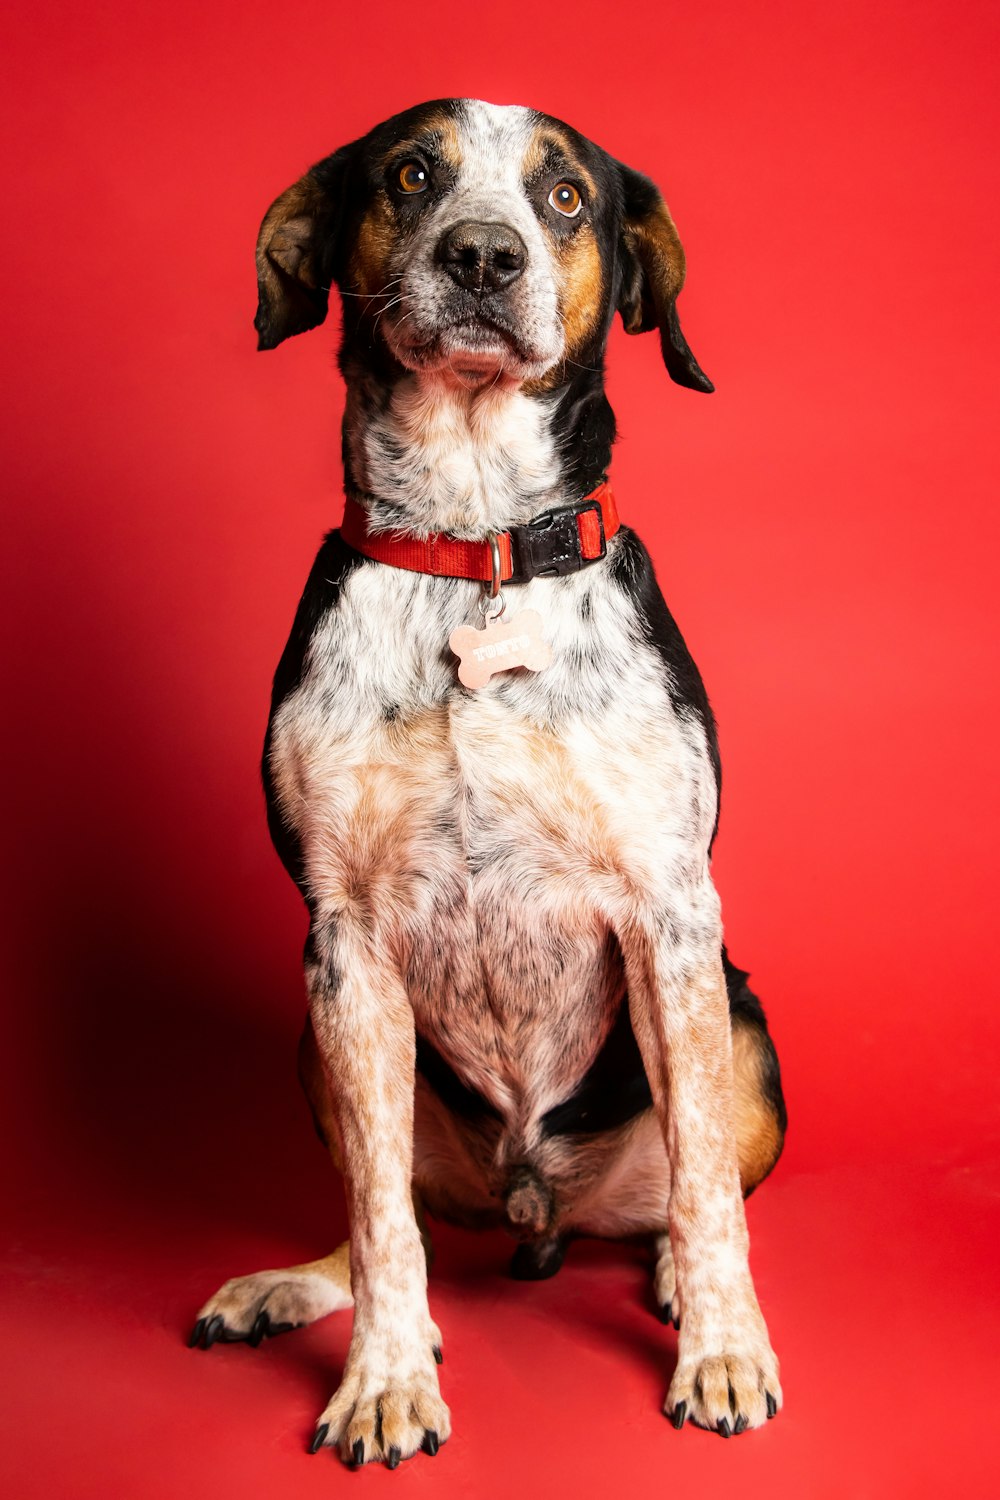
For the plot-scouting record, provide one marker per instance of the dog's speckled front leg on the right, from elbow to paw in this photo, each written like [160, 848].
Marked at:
[728, 1375]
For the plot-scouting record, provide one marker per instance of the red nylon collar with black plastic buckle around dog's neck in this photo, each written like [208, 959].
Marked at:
[557, 542]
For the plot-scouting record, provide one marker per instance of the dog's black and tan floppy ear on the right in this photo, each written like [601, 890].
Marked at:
[653, 275]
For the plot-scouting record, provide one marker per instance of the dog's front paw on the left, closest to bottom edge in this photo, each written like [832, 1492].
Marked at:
[383, 1415]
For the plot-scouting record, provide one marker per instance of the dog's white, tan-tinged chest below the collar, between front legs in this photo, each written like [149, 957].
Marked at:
[493, 839]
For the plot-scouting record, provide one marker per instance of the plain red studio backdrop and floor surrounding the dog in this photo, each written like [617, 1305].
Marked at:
[825, 530]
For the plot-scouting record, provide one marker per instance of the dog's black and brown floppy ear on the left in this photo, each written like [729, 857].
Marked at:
[296, 253]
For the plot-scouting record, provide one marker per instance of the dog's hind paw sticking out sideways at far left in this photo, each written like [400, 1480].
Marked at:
[269, 1303]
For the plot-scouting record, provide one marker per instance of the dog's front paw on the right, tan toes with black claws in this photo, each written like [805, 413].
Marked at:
[725, 1393]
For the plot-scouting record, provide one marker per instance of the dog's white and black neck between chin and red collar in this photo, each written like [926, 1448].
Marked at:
[431, 454]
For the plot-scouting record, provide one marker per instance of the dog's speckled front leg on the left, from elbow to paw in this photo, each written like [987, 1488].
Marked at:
[389, 1403]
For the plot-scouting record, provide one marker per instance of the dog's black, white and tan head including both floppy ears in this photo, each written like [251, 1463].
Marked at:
[484, 241]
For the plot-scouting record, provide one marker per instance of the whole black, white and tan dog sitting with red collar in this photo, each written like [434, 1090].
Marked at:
[521, 1009]
